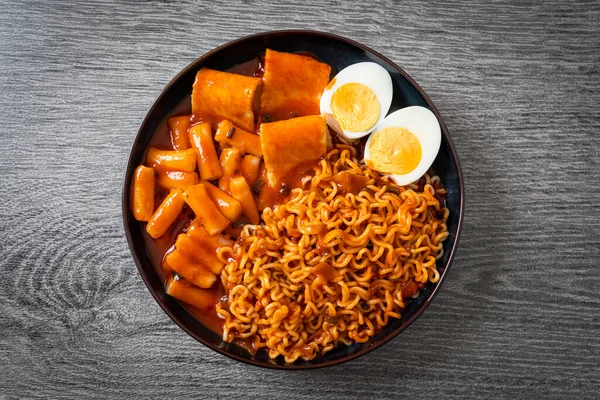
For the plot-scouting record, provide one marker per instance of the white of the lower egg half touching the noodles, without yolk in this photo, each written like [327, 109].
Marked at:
[426, 128]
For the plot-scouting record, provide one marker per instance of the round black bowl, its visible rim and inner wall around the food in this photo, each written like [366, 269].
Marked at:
[339, 53]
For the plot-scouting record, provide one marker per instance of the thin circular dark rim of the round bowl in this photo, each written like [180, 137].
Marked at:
[365, 350]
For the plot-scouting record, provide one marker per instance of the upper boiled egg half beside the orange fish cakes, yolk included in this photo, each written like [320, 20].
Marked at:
[357, 99]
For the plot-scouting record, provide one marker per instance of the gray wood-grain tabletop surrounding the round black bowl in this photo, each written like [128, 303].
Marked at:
[518, 85]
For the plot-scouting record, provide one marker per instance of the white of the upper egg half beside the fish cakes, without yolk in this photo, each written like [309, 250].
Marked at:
[370, 74]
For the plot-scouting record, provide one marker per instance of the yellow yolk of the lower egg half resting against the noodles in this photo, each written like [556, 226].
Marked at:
[394, 151]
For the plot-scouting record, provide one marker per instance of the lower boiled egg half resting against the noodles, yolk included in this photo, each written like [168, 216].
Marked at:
[404, 144]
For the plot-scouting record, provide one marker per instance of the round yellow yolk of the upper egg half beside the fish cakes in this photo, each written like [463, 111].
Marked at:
[355, 107]
